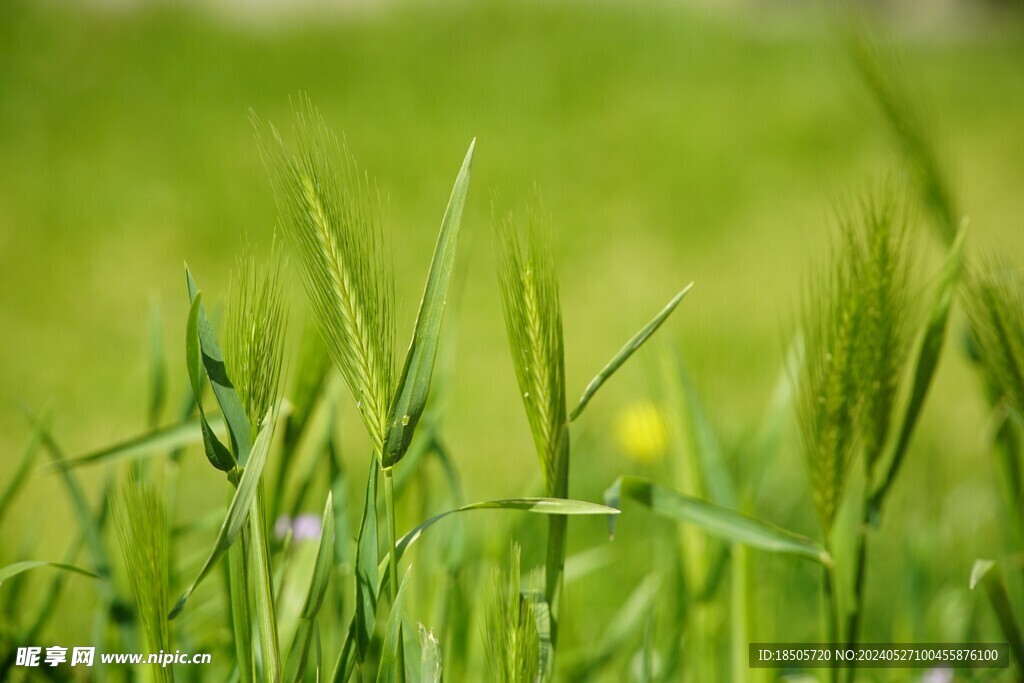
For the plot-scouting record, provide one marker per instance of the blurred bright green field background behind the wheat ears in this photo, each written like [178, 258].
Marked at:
[669, 144]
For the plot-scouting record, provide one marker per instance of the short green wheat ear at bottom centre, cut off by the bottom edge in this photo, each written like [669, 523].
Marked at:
[513, 638]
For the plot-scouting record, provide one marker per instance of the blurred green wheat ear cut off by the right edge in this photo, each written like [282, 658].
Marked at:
[996, 308]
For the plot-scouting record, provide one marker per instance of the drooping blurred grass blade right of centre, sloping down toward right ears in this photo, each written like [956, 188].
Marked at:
[718, 522]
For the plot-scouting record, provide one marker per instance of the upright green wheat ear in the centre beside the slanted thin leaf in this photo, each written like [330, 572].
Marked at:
[534, 322]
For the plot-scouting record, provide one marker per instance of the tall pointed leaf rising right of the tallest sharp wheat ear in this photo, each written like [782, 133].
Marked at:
[414, 387]
